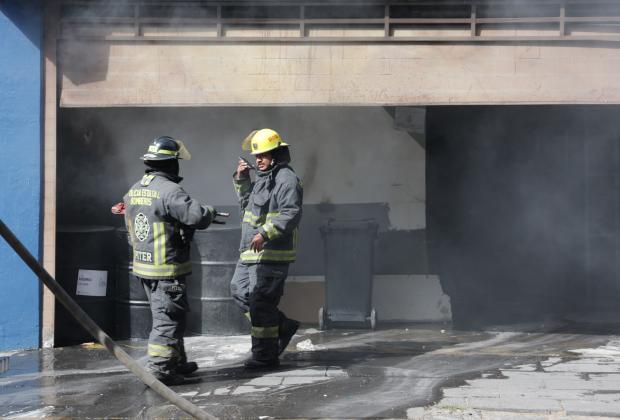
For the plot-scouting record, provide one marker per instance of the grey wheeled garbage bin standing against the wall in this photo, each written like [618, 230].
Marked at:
[349, 257]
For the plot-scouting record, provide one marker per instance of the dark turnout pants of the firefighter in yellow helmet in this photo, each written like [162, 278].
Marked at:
[257, 289]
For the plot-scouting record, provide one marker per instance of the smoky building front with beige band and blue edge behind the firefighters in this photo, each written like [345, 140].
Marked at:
[359, 89]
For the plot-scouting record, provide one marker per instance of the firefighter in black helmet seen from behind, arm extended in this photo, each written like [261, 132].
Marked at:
[161, 218]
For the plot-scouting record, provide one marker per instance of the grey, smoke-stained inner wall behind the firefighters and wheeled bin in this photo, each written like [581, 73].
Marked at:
[353, 162]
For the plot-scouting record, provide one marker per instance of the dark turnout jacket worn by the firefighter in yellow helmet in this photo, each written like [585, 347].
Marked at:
[270, 206]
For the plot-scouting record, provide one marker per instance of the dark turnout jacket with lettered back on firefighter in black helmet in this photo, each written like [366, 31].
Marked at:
[161, 219]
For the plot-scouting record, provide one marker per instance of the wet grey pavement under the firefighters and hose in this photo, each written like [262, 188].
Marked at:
[416, 371]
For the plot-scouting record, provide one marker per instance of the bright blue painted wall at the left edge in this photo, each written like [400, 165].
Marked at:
[21, 33]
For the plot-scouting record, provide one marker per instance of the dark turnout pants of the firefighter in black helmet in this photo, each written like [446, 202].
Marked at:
[168, 302]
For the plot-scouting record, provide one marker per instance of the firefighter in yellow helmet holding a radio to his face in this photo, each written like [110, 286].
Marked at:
[271, 210]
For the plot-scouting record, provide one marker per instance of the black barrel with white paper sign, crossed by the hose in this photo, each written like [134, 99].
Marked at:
[84, 262]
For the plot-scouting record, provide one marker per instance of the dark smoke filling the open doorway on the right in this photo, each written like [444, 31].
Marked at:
[523, 211]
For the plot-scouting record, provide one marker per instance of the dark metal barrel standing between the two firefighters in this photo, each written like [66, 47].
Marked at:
[214, 255]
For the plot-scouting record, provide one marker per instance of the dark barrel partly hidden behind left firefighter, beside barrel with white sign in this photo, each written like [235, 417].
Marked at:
[132, 310]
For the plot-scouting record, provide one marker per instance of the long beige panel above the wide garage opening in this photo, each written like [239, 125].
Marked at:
[168, 74]
